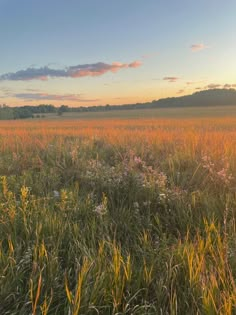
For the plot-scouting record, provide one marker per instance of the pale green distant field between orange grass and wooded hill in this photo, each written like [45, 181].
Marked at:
[191, 112]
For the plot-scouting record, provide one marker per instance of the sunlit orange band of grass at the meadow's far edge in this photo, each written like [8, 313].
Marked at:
[215, 135]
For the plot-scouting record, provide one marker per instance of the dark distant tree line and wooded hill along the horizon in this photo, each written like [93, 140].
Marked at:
[212, 97]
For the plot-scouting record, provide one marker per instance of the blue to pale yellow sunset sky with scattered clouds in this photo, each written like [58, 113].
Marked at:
[98, 52]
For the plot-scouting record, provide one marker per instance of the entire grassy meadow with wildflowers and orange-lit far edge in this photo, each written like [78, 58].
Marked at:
[121, 217]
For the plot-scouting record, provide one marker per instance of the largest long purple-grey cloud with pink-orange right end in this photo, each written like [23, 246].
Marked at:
[84, 70]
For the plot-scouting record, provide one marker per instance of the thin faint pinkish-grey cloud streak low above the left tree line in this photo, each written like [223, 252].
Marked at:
[52, 97]
